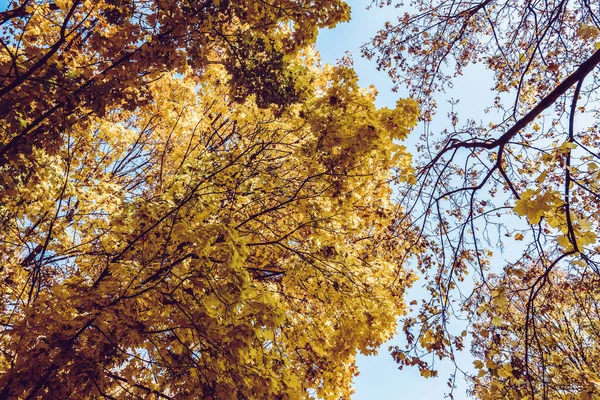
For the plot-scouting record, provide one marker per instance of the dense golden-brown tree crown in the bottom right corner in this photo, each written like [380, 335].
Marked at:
[564, 361]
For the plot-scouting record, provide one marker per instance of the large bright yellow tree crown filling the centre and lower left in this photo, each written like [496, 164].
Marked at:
[200, 246]
